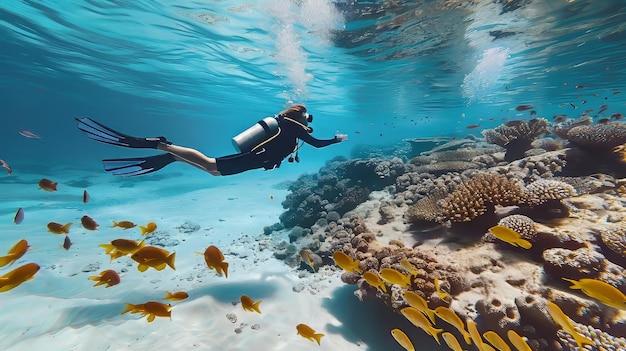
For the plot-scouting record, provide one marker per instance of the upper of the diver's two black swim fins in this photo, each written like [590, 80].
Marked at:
[99, 132]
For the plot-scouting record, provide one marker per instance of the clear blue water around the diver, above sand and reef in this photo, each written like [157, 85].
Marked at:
[201, 71]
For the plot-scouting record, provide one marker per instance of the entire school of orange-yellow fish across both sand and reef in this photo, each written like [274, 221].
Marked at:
[417, 311]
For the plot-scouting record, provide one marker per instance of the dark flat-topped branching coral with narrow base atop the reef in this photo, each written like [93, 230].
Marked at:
[516, 136]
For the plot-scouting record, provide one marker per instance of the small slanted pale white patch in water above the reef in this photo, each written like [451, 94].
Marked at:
[486, 74]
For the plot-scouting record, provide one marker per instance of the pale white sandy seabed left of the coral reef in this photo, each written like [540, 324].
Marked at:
[60, 309]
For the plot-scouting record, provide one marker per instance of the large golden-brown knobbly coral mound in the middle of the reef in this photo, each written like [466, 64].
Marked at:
[480, 194]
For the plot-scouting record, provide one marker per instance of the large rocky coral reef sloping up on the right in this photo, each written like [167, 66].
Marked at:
[381, 212]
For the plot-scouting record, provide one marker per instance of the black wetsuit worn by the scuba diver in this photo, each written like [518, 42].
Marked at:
[271, 154]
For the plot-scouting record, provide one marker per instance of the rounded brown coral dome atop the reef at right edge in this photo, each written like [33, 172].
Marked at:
[599, 136]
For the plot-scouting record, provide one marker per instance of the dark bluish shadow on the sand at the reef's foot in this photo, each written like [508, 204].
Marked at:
[370, 322]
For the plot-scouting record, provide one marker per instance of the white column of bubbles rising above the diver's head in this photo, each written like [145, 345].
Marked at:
[310, 21]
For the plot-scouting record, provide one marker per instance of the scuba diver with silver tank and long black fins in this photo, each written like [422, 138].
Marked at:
[264, 145]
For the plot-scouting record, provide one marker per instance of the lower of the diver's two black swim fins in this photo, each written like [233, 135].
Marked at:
[128, 167]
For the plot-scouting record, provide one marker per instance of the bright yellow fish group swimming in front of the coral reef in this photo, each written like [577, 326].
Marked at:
[424, 318]
